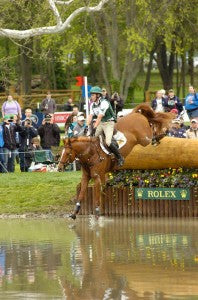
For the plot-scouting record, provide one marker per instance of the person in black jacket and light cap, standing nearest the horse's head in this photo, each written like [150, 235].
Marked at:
[49, 134]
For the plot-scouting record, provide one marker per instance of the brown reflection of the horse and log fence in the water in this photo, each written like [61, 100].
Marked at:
[133, 259]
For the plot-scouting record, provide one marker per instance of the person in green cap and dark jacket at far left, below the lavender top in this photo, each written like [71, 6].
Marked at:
[9, 135]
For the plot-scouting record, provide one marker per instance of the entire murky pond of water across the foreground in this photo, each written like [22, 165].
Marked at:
[110, 259]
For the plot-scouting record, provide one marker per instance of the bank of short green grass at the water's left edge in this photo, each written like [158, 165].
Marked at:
[26, 193]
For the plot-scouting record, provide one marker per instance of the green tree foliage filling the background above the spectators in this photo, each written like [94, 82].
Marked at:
[136, 26]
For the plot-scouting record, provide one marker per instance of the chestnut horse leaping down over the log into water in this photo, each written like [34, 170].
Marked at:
[137, 128]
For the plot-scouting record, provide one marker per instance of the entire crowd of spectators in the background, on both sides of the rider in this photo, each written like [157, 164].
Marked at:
[21, 135]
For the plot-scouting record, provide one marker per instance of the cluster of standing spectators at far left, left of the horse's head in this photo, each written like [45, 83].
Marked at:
[20, 136]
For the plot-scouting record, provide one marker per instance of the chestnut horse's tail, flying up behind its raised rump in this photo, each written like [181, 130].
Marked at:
[159, 120]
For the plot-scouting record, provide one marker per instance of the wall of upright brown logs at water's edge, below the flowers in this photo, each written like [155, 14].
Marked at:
[117, 202]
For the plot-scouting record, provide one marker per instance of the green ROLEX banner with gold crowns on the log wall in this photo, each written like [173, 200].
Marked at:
[162, 194]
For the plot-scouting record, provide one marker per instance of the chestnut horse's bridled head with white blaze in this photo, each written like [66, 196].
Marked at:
[68, 155]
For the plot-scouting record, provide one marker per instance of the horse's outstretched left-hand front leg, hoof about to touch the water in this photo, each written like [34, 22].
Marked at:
[83, 188]
